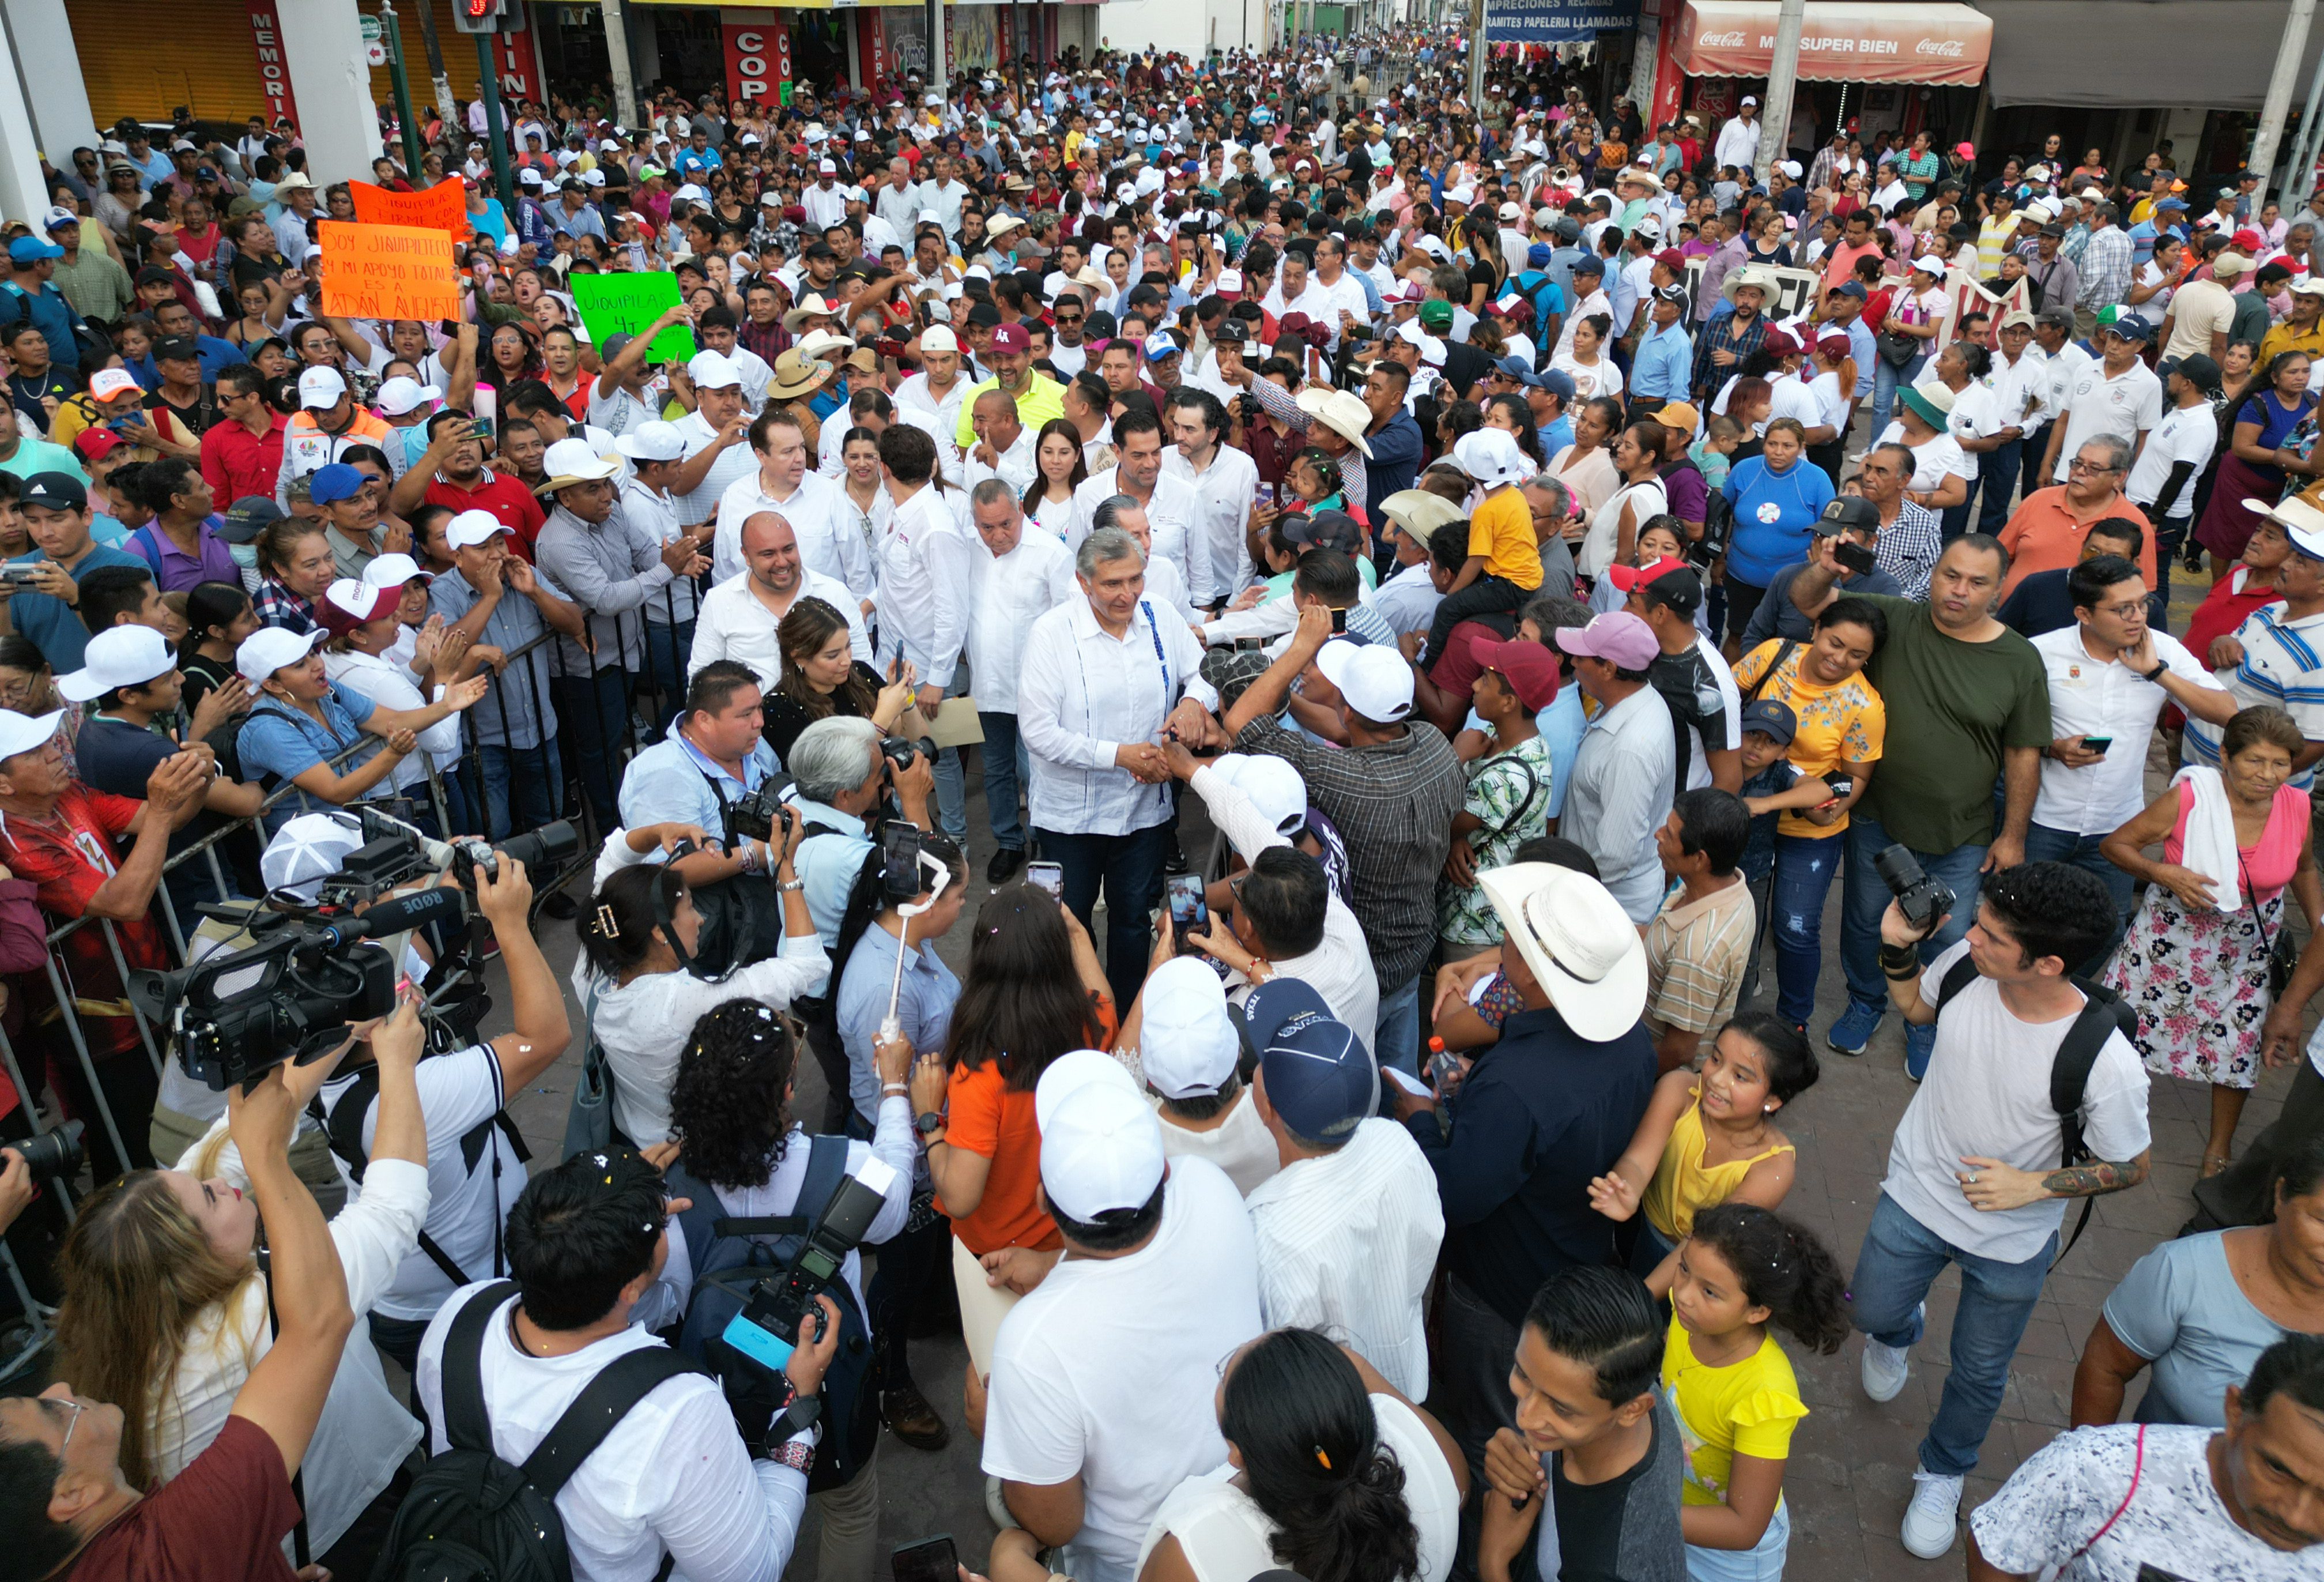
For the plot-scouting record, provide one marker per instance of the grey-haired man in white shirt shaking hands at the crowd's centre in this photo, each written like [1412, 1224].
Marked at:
[1100, 682]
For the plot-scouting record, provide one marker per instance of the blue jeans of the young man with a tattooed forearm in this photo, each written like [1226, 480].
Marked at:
[1895, 1272]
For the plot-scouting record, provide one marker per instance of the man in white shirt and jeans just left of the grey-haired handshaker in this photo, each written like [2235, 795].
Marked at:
[1017, 580]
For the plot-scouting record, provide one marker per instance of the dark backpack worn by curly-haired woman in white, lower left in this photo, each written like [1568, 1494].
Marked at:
[731, 1256]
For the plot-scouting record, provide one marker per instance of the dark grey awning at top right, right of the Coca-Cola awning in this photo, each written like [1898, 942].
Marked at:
[2142, 55]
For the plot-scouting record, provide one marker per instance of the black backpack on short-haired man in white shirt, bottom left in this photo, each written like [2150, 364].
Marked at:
[471, 1516]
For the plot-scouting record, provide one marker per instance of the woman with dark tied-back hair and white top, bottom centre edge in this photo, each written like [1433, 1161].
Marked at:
[1330, 1472]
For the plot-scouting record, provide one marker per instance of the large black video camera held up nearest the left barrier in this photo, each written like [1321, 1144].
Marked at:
[292, 995]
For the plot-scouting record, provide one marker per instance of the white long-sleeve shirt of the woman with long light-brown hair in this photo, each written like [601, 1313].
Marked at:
[364, 1432]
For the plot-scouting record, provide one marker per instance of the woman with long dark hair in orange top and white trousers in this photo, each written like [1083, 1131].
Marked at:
[1031, 995]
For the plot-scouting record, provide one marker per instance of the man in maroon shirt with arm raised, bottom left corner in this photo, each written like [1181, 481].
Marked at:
[66, 1507]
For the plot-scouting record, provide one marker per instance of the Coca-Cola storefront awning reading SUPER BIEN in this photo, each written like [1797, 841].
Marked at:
[1844, 41]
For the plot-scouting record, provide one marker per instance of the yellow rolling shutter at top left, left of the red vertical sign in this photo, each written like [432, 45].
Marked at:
[145, 57]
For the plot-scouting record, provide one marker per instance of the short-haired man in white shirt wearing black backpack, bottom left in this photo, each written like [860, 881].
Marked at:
[664, 1467]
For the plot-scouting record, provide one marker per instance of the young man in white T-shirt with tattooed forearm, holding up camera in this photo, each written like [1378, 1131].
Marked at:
[1977, 1172]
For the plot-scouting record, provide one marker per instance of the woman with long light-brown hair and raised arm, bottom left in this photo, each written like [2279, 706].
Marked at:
[166, 1304]
